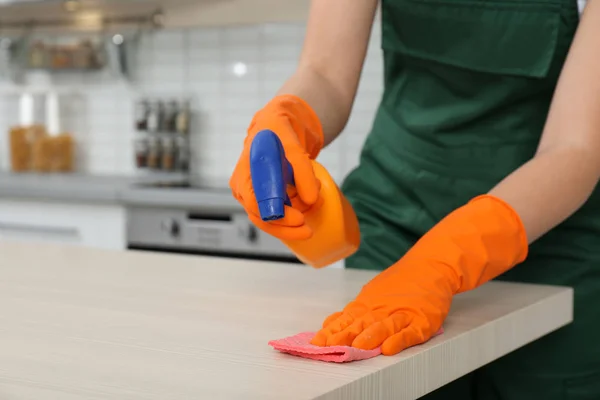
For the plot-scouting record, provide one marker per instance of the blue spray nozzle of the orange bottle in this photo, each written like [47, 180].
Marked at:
[271, 173]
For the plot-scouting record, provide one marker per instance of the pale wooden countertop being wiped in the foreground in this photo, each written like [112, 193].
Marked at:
[88, 324]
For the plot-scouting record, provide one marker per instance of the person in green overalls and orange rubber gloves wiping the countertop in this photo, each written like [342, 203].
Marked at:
[482, 163]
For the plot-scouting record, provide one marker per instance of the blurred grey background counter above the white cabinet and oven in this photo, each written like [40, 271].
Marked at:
[111, 190]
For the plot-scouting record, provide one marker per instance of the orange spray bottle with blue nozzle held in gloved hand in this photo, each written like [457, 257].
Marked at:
[334, 224]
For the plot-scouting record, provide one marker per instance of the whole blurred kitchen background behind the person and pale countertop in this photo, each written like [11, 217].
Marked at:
[124, 119]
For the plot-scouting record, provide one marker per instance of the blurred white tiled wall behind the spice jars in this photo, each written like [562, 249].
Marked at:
[203, 64]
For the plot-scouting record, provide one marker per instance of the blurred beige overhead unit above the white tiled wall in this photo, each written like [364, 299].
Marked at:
[172, 13]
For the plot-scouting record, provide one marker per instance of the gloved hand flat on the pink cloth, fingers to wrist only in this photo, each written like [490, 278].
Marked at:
[397, 310]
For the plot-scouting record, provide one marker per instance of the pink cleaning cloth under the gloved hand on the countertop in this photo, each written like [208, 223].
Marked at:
[299, 345]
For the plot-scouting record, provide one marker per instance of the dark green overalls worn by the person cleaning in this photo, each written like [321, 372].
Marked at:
[468, 84]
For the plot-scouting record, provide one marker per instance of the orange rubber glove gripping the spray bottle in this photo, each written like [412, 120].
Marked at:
[300, 132]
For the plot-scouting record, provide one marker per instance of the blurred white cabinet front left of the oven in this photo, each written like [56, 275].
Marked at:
[93, 225]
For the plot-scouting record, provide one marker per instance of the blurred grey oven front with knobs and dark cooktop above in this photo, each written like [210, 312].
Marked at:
[209, 232]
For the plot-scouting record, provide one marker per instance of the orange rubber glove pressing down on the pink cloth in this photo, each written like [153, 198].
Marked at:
[407, 303]
